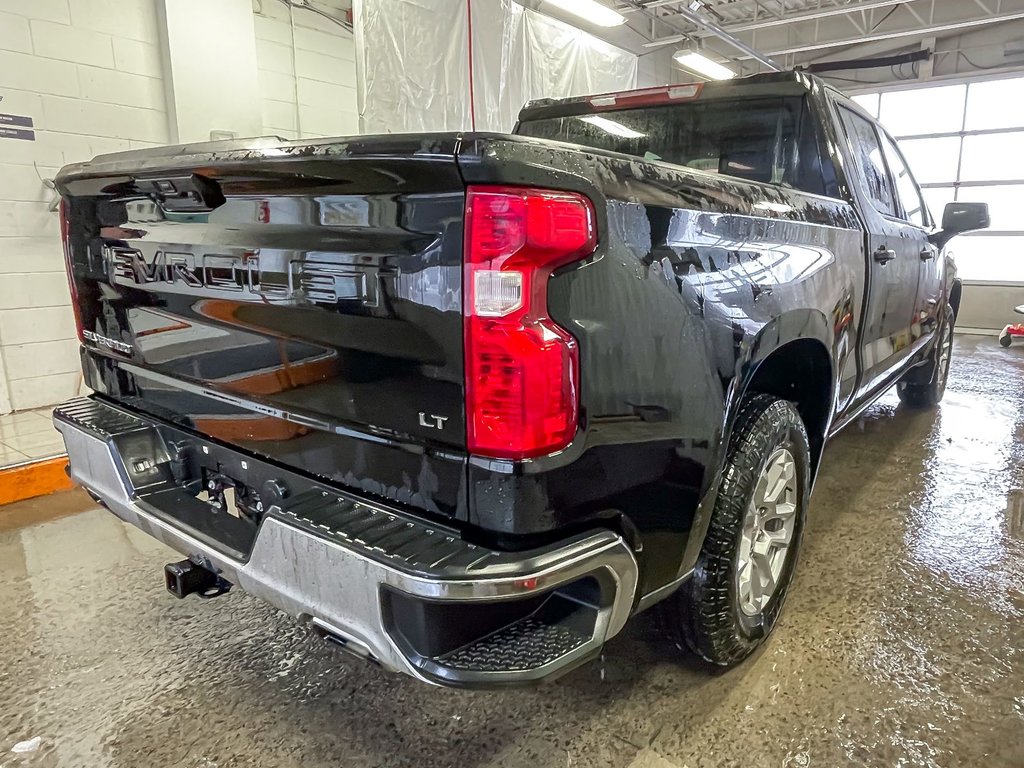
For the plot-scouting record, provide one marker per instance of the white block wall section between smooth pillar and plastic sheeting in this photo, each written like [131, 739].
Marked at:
[325, 62]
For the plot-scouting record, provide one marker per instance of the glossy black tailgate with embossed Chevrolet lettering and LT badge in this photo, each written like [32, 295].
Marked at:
[303, 303]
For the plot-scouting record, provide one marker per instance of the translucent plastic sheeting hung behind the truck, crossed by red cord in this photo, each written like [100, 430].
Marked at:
[414, 58]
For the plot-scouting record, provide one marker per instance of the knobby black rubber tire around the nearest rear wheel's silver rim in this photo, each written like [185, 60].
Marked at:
[706, 615]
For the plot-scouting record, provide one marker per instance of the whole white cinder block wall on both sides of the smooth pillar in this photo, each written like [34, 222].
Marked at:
[90, 73]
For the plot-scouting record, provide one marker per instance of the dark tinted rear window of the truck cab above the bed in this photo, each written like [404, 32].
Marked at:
[772, 141]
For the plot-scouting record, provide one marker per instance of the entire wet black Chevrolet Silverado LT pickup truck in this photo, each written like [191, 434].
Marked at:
[466, 402]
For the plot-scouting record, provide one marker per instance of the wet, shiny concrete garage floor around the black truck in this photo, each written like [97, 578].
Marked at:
[903, 644]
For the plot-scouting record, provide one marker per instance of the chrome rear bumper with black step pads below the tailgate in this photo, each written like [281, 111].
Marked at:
[413, 596]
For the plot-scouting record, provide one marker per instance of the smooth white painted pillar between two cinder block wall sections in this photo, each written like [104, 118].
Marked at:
[210, 68]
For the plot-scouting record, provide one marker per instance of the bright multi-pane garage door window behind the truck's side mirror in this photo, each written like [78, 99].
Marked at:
[964, 144]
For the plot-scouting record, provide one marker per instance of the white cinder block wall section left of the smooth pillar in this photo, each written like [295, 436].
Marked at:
[89, 72]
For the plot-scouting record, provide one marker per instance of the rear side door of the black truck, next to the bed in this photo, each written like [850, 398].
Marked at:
[890, 331]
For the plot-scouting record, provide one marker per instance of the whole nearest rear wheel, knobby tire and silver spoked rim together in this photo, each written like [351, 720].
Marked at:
[744, 572]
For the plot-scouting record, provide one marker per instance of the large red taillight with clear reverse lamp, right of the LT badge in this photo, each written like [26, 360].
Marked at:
[523, 370]
